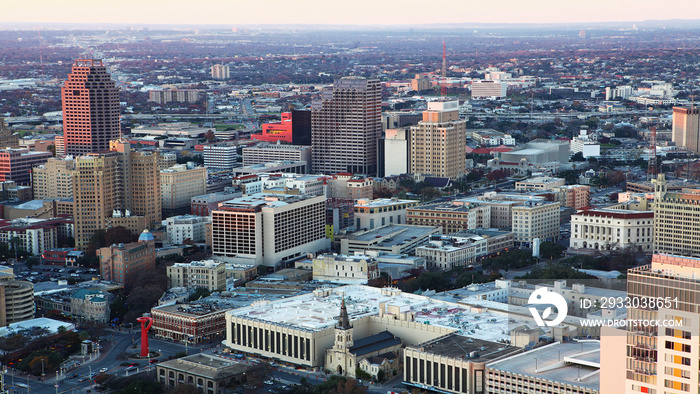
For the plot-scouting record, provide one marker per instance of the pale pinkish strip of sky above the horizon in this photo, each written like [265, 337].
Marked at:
[341, 12]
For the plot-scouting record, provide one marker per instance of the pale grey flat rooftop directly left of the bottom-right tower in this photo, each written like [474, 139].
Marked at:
[575, 363]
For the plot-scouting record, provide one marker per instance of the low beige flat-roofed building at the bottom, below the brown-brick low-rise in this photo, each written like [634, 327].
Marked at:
[209, 374]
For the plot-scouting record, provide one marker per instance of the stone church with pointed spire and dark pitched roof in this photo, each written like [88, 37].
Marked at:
[346, 355]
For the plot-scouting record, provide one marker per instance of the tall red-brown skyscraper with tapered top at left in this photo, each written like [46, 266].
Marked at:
[90, 108]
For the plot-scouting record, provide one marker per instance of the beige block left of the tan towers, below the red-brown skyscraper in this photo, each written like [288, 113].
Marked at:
[54, 179]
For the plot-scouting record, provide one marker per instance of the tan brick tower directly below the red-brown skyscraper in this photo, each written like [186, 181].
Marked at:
[93, 194]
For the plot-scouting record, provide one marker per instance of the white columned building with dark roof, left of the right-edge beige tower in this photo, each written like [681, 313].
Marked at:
[608, 229]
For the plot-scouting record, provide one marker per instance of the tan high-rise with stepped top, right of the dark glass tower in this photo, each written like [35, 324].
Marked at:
[438, 143]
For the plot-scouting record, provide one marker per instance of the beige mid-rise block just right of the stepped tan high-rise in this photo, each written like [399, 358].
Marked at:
[178, 184]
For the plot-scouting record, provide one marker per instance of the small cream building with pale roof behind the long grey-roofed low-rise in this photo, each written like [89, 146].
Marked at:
[381, 212]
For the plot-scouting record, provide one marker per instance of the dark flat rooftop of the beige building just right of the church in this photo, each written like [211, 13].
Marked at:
[475, 350]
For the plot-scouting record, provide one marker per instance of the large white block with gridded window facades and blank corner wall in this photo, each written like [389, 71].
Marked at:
[269, 229]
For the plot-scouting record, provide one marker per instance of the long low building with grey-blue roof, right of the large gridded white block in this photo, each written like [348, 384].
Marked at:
[395, 238]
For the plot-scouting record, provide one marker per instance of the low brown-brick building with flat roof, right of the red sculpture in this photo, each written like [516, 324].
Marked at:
[194, 322]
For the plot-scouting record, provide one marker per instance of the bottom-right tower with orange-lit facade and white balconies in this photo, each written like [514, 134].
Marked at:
[663, 359]
